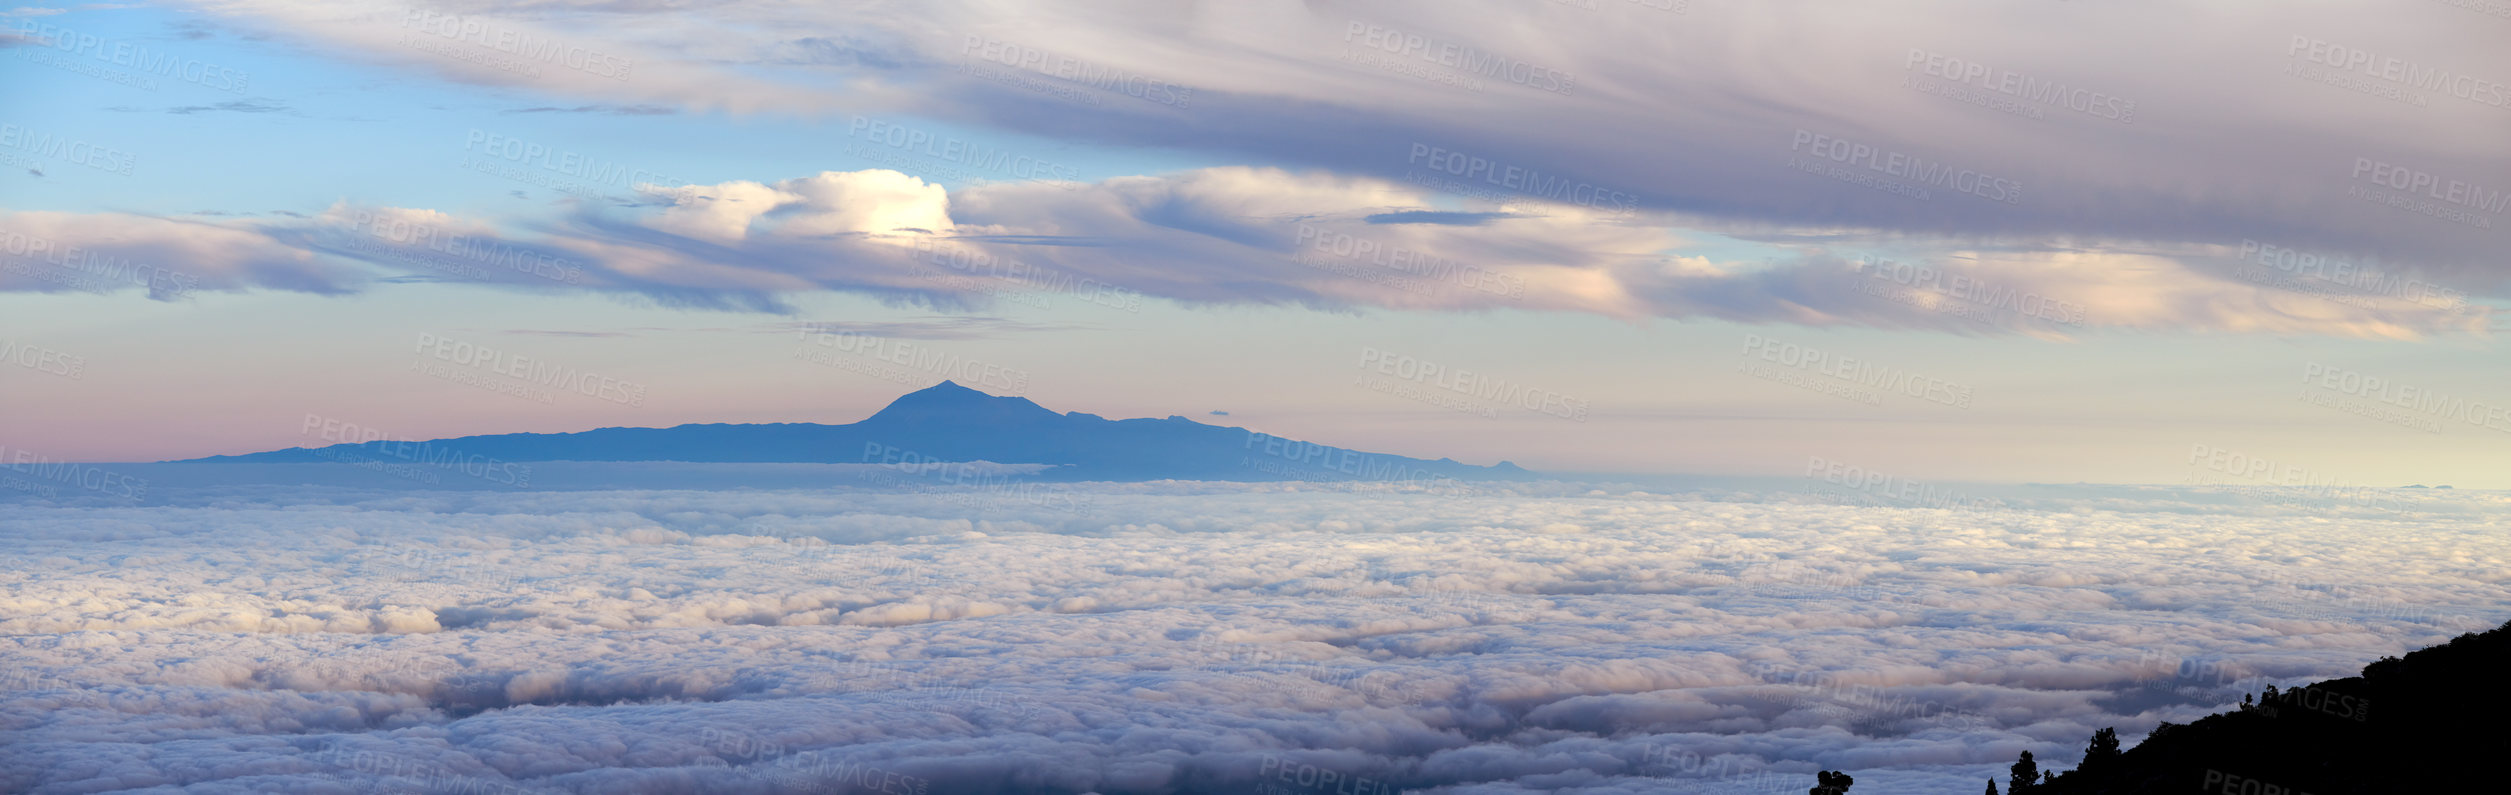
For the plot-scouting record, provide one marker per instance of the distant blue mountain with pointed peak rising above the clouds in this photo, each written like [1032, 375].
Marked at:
[945, 423]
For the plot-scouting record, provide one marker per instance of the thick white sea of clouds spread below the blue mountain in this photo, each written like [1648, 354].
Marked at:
[1179, 638]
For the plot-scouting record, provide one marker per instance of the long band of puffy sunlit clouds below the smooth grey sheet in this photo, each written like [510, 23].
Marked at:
[1312, 240]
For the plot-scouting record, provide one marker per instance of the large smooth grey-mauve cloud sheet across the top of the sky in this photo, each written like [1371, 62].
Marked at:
[1681, 114]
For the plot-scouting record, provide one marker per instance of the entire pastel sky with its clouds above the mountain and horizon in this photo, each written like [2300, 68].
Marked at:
[2025, 242]
